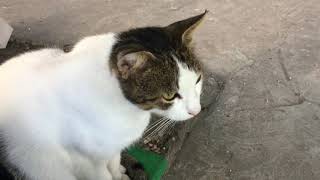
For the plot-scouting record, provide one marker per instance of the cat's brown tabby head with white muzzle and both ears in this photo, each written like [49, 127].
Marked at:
[158, 70]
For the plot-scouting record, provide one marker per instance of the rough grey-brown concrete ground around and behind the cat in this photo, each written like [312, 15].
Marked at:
[266, 123]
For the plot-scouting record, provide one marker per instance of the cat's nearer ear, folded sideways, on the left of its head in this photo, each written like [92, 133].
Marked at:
[129, 62]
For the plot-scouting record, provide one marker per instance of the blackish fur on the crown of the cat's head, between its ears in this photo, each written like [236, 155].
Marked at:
[159, 43]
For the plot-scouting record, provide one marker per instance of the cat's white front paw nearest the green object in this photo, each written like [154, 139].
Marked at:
[116, 169]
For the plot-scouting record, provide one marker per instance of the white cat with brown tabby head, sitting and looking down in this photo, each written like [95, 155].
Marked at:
[69, 115]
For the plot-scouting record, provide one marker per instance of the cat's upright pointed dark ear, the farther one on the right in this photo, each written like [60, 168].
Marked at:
[184, 29]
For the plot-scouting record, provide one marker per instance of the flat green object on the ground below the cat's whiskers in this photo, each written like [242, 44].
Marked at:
[154, 164]
